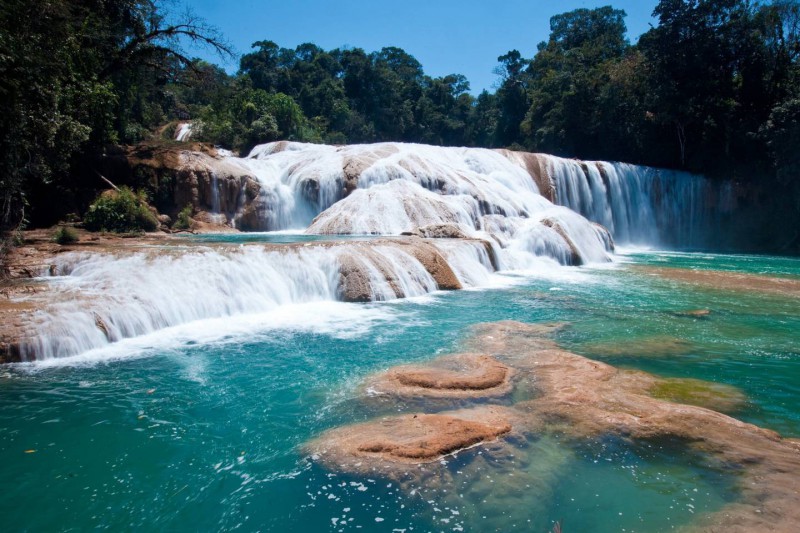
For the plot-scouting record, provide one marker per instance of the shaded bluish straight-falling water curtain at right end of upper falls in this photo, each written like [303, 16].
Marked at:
[642, 205]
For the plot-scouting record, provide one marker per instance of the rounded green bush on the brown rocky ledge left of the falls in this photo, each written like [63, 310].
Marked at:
[121, 211]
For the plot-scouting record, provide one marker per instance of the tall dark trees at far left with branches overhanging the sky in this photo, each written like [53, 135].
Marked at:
[75, 76]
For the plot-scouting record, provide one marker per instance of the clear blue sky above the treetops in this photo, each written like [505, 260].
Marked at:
[446, 36]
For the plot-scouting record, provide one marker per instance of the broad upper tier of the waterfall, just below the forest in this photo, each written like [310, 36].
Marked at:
[393, 187]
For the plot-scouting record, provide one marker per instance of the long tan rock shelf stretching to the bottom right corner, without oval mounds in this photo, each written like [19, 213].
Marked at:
[587, 399]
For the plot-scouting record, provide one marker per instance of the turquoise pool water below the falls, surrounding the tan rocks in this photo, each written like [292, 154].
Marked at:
[201, 436]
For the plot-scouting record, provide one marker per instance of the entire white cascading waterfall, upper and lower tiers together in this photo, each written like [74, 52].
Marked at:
[491, 197]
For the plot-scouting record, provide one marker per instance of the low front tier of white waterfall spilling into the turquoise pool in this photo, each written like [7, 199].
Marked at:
[96, 299]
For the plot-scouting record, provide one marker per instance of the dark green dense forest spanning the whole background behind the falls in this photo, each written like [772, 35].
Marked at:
[713, 88]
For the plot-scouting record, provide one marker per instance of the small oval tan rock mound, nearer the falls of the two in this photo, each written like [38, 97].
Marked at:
[465, 375]
